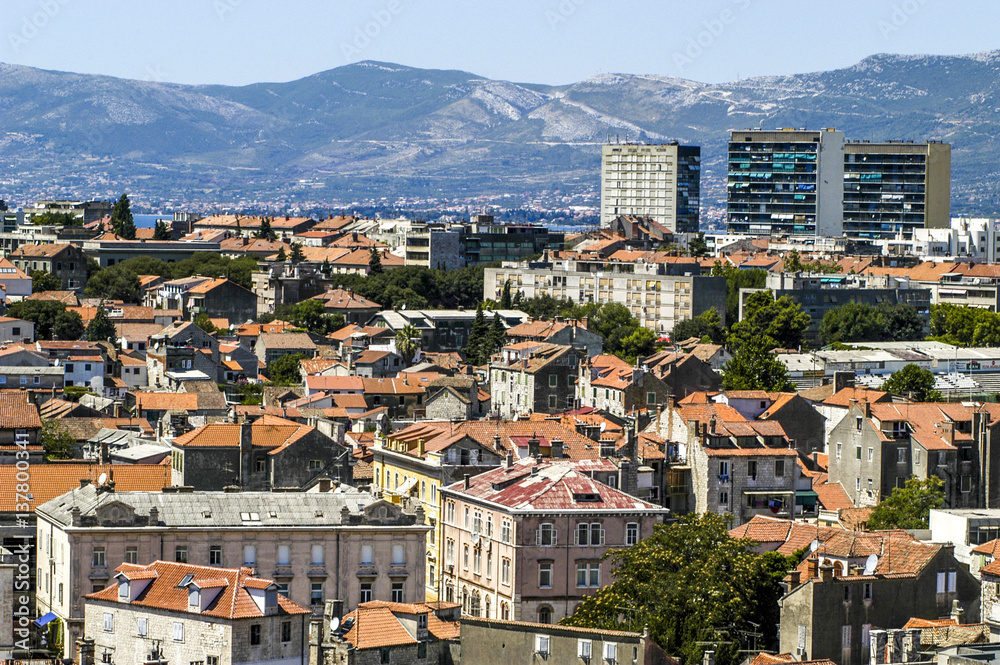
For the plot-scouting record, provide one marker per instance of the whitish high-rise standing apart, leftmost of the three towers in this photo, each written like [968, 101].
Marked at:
[661, 181]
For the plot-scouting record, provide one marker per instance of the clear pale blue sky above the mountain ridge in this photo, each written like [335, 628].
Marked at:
[237, 42]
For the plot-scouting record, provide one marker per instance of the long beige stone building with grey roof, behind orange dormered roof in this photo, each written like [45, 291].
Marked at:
[345, 545]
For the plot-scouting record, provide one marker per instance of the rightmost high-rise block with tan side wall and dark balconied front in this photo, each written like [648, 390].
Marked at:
[896, 186]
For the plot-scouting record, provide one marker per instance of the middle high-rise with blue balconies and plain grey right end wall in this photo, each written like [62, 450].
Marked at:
[785, 182]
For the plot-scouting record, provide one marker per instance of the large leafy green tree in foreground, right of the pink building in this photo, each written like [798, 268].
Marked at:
[687, 582]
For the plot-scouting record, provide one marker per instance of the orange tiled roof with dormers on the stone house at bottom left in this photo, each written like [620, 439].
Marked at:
[165, 592]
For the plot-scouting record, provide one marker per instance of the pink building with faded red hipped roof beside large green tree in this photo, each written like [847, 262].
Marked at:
[524, 542]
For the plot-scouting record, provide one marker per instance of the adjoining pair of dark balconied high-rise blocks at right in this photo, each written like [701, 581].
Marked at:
[812, 183]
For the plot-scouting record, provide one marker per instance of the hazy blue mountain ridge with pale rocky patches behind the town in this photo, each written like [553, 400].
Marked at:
[375, 128]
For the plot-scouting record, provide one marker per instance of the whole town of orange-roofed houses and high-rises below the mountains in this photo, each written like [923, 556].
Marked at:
[239, 438]
